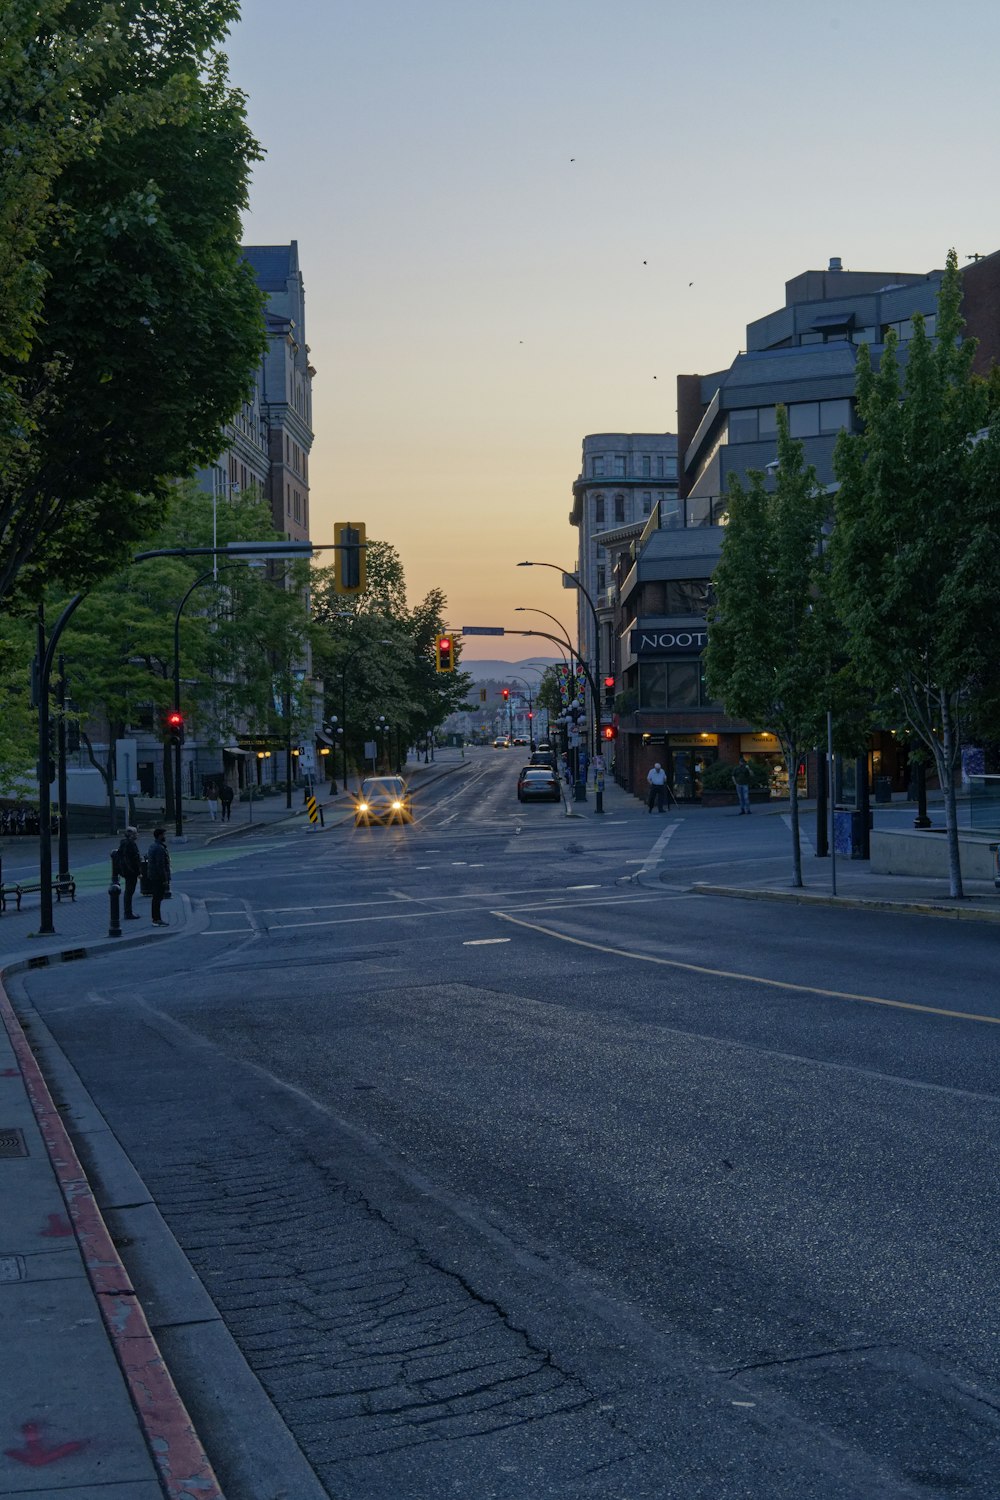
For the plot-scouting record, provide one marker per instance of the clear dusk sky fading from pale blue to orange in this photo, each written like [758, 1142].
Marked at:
[519, 221]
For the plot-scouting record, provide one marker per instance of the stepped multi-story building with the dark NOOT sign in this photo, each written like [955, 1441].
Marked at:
[804, 358]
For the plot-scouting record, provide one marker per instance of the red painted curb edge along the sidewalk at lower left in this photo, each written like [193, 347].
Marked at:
[182, 1462]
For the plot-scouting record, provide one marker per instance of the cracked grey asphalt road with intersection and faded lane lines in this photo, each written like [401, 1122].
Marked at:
[518, 1172]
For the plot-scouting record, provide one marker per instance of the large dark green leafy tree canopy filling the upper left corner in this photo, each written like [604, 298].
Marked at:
[137, 323]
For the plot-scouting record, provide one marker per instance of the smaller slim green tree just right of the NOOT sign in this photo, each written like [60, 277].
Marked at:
[771, 634]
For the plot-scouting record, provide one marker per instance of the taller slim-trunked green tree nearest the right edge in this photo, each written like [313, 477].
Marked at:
[917, 536]
